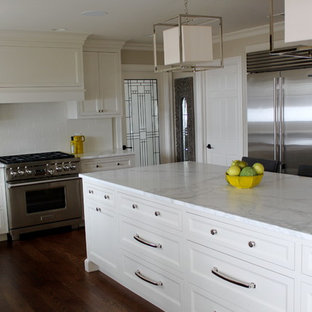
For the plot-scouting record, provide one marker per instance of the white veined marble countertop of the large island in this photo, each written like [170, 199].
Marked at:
[280, 201]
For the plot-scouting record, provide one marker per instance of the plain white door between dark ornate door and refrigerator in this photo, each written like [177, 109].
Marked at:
[221, 105]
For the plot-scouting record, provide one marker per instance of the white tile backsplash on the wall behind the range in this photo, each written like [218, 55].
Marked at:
[41, 127]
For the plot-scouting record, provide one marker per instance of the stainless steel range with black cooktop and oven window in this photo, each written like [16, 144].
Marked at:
[43, 191]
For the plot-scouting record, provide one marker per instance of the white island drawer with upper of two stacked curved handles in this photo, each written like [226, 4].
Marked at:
[159, 246]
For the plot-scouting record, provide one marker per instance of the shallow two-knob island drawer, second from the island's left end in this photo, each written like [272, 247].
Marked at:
[156, 214]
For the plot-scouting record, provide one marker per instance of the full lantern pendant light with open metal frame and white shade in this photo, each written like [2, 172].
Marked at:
[188, 42]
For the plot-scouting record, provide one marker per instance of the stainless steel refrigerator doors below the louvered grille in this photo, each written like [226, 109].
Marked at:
[279, 110]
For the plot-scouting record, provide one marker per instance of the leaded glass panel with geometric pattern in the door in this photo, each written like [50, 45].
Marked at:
[141, 103]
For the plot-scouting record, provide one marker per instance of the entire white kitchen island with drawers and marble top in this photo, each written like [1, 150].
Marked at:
[179, 236]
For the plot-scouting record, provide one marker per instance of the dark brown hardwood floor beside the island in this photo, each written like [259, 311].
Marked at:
[46, 273]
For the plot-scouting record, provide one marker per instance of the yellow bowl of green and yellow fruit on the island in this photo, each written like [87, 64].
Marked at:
[240, 175]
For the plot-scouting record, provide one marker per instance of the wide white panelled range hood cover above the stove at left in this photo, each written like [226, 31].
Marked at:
[41, 67]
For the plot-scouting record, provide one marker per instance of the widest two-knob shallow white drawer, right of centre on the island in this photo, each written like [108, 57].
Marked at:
[252, 244]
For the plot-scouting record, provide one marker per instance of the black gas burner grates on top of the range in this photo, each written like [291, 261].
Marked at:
[14, 159]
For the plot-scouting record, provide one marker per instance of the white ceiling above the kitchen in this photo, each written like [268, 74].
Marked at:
[127, 20]
